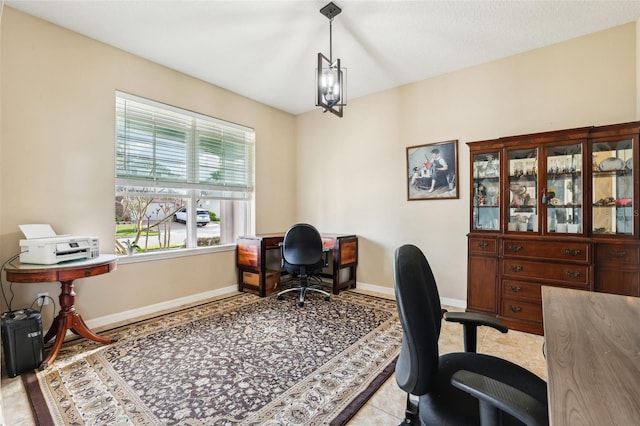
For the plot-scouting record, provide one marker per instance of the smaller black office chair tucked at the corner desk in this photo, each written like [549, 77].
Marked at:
[304, 256]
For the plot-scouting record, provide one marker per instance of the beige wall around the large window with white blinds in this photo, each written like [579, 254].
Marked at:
[57, 153]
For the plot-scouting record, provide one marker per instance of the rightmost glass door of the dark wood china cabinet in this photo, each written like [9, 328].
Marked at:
[612, 192]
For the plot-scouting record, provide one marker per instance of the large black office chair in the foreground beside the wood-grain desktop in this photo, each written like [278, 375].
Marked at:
[464, 388]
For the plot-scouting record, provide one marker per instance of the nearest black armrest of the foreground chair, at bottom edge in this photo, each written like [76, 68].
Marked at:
[495, 396]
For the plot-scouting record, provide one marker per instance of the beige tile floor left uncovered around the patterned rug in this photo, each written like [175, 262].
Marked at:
[387, 405]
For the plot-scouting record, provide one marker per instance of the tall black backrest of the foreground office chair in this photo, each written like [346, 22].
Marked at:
[420, 315]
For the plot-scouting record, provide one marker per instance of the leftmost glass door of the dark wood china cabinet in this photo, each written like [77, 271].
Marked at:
[486, 191]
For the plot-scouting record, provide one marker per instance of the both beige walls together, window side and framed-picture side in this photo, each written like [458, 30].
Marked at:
[343, 175]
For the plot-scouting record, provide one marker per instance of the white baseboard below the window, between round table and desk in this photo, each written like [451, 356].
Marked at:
[148, 311]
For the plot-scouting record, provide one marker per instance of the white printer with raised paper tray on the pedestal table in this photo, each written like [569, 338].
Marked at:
[42, 246]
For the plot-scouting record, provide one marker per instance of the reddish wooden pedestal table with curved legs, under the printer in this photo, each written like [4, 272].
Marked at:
[68, 318]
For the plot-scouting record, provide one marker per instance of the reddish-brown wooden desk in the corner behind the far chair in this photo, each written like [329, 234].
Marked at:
[256, 257]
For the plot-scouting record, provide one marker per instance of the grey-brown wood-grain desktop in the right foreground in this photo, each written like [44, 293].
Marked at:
[592, 345]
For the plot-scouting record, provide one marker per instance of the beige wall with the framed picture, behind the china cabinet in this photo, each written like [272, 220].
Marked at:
[359, 184]
